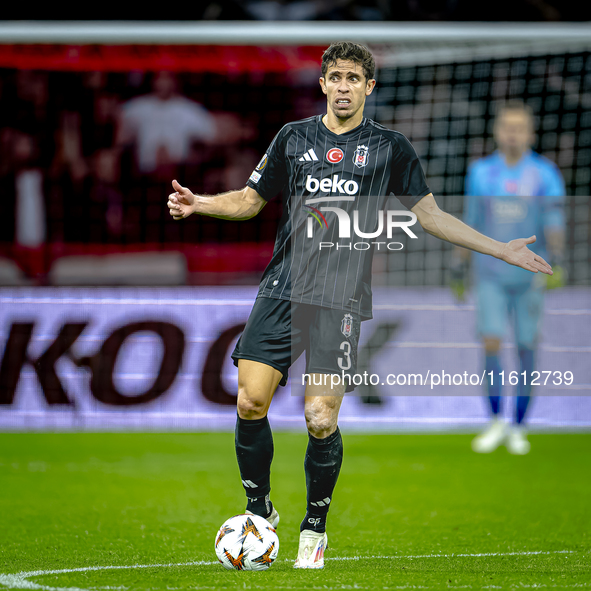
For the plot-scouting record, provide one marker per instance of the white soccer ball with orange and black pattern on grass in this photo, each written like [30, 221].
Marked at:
[246, 542]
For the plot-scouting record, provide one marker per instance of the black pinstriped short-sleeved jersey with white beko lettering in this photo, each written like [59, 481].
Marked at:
[334, 190]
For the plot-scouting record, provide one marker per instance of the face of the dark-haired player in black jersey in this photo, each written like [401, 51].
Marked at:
[346, 88]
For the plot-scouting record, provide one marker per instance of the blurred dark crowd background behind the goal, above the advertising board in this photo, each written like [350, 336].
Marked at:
[87, 154]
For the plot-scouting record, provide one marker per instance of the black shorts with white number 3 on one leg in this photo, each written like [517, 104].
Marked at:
[279, 331]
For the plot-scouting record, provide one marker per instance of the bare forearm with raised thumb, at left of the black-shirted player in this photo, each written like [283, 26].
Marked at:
[233, 205]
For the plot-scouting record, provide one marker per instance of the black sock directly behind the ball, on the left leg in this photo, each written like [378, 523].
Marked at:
[254, 451]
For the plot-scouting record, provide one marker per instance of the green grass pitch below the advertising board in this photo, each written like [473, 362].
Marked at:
[135, 511]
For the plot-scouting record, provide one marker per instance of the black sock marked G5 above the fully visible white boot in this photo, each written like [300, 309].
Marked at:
[322, 466]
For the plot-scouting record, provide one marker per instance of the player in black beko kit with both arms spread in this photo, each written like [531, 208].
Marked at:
[317, 289]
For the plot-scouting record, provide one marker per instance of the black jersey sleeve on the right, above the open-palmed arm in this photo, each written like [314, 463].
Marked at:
[407, 179]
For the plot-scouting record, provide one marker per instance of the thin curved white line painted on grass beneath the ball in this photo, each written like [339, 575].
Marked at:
[20, 580]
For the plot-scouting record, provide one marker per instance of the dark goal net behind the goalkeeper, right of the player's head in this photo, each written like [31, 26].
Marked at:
[445, 101]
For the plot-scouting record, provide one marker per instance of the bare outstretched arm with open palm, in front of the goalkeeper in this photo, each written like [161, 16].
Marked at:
[446, 227]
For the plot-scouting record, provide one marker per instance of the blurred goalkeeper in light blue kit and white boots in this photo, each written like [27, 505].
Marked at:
[513, 192]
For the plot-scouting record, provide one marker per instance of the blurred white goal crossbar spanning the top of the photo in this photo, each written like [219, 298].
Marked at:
[393, 43]
